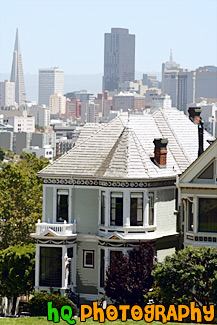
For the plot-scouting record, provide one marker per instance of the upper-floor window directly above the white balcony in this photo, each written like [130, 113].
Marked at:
[62, 205]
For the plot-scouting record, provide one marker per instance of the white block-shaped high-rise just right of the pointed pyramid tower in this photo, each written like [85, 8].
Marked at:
[51, 82]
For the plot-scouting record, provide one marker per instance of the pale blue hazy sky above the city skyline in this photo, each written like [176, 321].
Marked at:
[70, 33]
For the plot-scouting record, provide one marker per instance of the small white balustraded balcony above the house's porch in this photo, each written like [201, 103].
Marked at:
[60, 229]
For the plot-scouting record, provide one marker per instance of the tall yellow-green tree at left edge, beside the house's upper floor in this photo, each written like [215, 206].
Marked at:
[21, 200]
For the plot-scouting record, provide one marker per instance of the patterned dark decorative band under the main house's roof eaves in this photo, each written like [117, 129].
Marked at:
[88, 182]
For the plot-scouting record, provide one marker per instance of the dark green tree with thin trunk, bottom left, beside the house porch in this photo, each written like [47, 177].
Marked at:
[17, 269]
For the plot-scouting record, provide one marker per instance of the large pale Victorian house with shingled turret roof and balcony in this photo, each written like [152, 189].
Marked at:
[115, 188]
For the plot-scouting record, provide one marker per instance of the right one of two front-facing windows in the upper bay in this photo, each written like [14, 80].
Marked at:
[136, 209]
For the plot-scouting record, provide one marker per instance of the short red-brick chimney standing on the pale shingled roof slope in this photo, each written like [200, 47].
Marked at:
[160, 152]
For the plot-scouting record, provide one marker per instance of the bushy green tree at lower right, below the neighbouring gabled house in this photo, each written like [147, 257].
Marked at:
[189, 275]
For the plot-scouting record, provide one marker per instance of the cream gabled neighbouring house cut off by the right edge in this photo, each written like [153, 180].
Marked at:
[198, 200]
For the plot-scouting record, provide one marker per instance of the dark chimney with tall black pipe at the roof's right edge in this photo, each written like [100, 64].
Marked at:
[194, 116]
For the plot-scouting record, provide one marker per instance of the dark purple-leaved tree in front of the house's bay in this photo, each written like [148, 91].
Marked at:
[129, 277]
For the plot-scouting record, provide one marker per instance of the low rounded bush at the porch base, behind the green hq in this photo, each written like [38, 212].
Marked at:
[38, 304]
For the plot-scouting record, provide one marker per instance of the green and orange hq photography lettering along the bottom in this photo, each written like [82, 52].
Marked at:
[149, 313]
